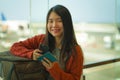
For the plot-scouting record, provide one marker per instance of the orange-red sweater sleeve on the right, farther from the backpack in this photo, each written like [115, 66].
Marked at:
[74, 68]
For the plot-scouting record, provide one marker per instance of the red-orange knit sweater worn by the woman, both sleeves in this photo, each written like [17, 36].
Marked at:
[74, 66]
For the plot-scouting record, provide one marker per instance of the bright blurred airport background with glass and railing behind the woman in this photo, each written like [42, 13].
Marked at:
[96, 24]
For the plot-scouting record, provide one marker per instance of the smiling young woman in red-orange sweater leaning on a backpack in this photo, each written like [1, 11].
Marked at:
[60, 38]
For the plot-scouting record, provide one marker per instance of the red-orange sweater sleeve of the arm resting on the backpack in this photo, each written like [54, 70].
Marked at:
[25, 48]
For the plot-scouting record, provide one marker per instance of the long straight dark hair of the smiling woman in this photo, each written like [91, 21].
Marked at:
[69, 40]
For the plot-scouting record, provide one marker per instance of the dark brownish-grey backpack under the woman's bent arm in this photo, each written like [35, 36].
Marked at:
[22, 68]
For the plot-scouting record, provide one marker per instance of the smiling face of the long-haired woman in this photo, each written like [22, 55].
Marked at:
[55, 25]
